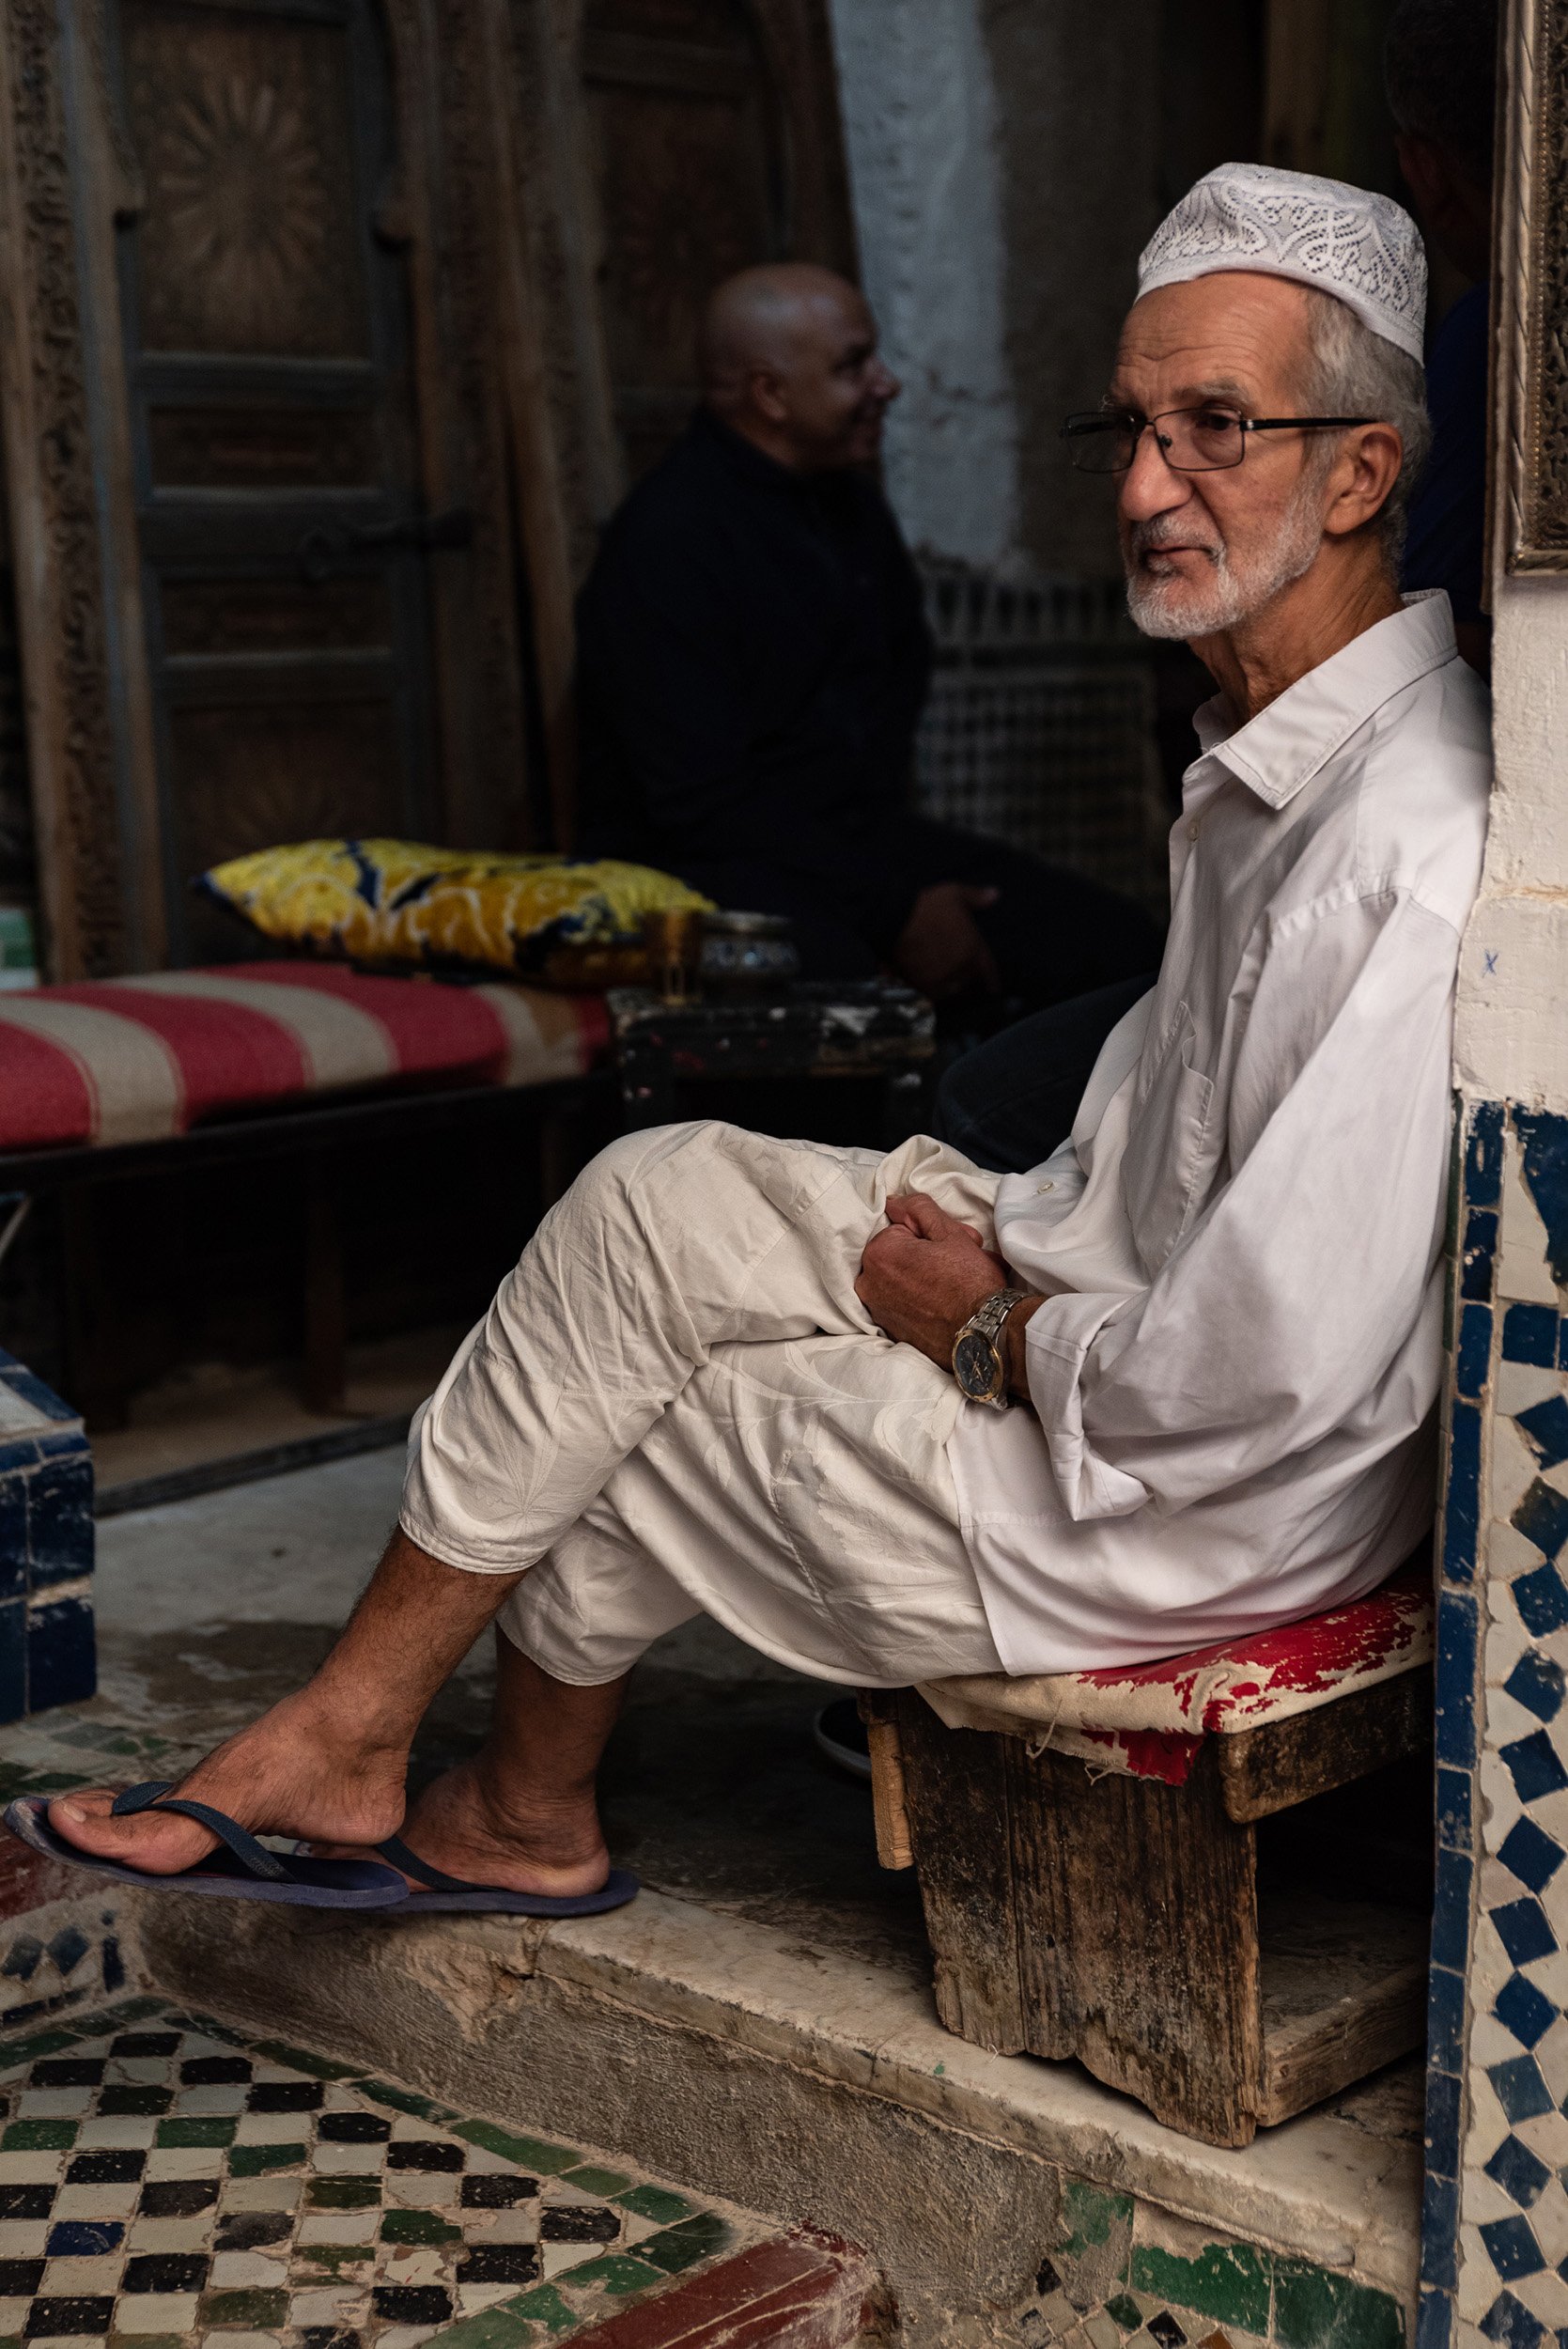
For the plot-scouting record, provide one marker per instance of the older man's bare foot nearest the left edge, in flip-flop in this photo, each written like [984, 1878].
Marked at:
[292, 1772]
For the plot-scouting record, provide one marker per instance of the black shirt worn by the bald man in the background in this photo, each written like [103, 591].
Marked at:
[752, 659]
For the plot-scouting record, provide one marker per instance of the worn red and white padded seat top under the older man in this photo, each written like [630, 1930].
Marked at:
[1151, 1718]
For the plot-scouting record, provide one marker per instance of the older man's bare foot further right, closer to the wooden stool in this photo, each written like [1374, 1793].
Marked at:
[482, 1826]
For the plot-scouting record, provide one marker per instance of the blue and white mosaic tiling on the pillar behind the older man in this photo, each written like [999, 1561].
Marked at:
[1496, 2219]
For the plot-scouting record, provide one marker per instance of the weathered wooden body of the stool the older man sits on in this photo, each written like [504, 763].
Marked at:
[1217, 2019]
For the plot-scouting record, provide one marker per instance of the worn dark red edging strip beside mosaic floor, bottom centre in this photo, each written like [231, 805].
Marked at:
[799, 2291]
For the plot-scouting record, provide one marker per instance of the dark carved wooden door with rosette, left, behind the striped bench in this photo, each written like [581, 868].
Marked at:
[285, 539]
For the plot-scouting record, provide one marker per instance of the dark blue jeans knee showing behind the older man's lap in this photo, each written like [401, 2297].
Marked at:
[1013, 1101]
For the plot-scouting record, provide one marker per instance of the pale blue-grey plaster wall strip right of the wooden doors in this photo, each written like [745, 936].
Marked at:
[924, 163]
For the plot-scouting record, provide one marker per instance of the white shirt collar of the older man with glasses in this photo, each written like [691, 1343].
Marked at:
[1287, 743]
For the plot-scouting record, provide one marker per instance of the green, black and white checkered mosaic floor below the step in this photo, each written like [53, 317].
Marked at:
[168, 2181]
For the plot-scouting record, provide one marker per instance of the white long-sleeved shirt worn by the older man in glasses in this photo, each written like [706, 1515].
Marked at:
[1238, 1354]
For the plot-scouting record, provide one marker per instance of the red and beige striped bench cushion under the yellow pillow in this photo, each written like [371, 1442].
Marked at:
[144, 1058]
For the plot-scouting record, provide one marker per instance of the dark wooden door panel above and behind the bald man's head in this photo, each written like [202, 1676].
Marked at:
[715, 142]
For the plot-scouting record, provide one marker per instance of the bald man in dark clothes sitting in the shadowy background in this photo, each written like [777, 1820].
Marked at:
[752, 659]
